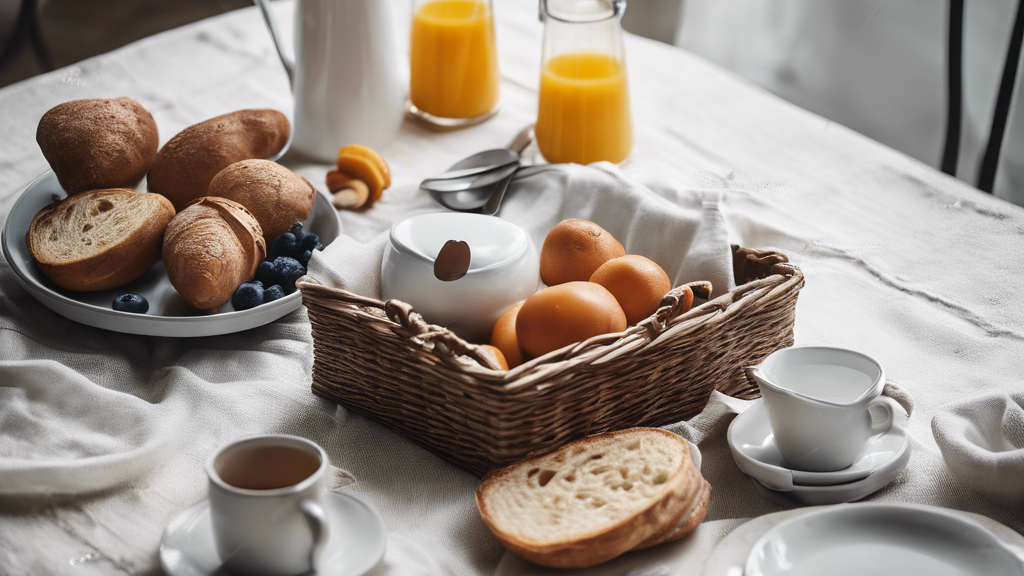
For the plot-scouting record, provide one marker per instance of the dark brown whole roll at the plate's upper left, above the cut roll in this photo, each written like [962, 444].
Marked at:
[98, 143]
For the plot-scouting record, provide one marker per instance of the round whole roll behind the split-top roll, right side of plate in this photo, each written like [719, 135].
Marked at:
[277, 196]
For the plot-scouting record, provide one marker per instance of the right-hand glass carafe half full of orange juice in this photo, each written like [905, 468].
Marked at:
[584, 113]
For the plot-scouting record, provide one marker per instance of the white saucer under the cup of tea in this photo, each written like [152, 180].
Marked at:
[358, 541]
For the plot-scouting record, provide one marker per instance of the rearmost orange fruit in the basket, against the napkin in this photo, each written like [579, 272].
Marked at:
[574, 250]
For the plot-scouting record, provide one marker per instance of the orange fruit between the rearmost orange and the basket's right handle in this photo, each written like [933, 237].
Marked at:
[637, 283]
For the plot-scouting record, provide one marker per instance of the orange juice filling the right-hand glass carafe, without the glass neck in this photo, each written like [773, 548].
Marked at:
[584, 113]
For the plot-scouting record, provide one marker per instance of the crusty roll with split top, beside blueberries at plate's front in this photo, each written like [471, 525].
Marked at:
[210, 249]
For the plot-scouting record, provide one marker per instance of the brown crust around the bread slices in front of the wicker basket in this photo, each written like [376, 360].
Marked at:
[603, 546]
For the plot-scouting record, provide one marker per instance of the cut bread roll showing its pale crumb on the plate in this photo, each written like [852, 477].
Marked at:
[100, 239]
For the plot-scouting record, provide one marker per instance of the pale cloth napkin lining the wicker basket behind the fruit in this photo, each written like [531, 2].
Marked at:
[682, 231]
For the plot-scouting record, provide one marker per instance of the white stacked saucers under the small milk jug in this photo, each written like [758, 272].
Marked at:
[754, 450]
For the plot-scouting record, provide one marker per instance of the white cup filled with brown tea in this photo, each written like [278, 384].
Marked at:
[266, 502]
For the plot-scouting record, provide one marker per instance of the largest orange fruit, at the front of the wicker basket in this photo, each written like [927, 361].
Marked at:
[567, 314]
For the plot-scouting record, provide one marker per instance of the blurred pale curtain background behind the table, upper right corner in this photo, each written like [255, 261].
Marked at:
[875, 66]
